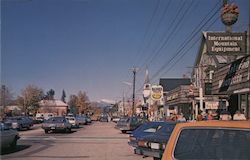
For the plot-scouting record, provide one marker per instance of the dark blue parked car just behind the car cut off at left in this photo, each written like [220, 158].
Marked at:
[19, 122]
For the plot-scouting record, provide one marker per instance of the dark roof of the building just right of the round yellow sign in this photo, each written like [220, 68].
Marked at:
[169, 84]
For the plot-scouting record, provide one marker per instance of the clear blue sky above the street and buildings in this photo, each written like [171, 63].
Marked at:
[90, 45]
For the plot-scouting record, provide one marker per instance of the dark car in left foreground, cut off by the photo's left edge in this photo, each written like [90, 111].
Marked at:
[8, 136]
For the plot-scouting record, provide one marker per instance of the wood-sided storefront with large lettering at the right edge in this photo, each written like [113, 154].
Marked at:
[234, 80]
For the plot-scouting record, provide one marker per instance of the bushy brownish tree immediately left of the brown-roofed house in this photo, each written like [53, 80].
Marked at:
[29, 98]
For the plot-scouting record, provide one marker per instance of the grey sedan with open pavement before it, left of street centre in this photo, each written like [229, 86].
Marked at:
[56, 124]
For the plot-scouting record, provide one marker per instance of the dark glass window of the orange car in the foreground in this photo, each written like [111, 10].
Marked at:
[213, 144]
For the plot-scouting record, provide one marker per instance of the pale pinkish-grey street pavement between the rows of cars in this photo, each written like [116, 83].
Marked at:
[99, 140]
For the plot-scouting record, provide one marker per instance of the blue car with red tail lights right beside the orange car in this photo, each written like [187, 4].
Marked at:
[153, 145]
